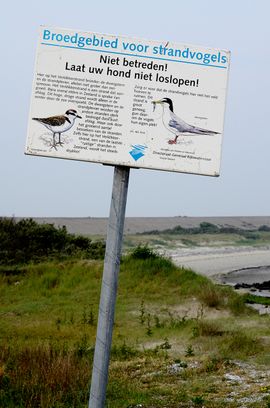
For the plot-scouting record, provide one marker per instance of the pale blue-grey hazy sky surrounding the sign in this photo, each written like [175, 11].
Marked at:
[47, 187]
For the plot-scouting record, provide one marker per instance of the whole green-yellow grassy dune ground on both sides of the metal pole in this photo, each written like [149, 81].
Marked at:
[175, 336]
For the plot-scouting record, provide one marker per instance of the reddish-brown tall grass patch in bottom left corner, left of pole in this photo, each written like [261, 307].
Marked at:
[44, 377]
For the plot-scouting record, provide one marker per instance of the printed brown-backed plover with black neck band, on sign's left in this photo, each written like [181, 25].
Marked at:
[59, 124]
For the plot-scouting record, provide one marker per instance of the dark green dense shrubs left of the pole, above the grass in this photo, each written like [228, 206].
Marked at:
[27, 241]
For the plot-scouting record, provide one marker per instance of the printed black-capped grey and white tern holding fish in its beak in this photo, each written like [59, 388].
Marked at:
[177, 125]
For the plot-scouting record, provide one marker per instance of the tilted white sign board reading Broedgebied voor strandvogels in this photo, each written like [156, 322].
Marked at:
[125, 101]
